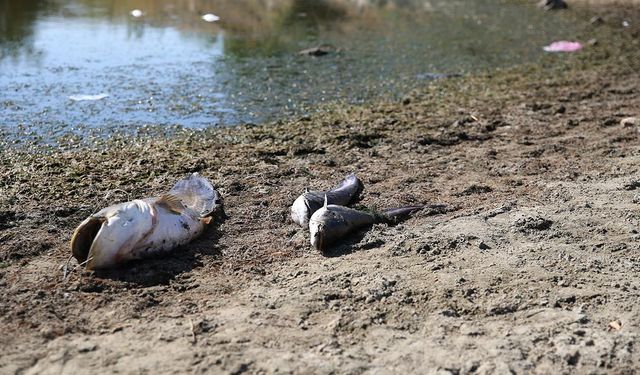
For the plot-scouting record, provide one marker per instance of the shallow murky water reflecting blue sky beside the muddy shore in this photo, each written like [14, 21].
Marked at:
[170, 67]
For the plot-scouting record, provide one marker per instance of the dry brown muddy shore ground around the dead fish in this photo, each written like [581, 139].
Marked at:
[532, 268]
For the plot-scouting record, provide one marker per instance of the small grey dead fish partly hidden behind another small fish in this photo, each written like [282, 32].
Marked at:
[311, 201]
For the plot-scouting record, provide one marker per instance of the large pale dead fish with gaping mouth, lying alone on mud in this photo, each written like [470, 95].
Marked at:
[142, 227]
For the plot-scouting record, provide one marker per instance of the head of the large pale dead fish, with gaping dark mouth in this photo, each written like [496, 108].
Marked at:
[107, 237]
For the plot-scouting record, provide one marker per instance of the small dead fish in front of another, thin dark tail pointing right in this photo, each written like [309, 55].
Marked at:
[332, 222]
